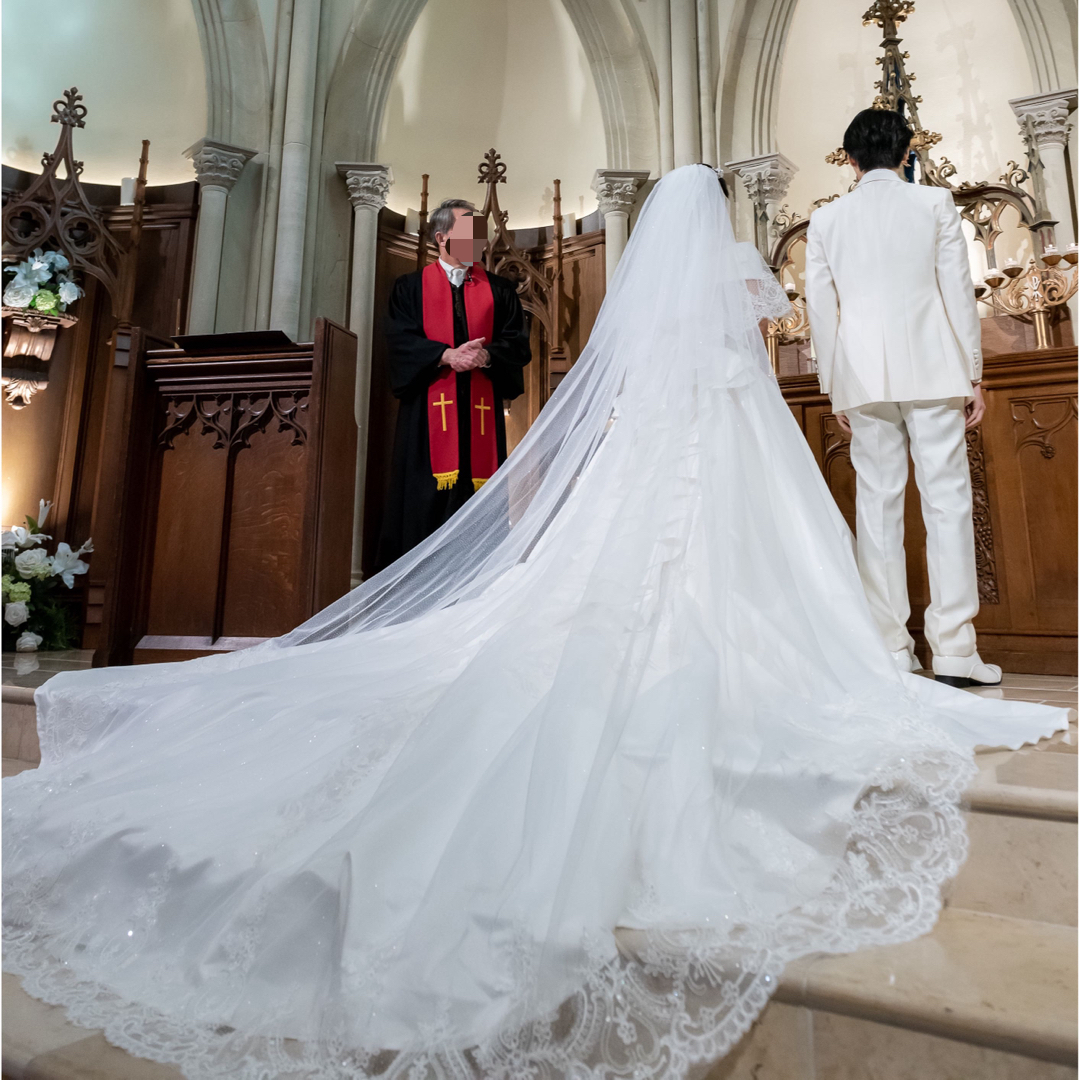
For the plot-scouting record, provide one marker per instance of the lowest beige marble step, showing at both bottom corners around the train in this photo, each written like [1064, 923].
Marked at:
[982, 997]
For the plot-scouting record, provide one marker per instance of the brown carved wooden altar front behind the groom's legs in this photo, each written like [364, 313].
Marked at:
[1023, 464]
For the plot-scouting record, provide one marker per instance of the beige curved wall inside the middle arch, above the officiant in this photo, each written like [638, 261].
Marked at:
[509, 74]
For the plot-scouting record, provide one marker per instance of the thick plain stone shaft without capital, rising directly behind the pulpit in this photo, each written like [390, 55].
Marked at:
[295, 169]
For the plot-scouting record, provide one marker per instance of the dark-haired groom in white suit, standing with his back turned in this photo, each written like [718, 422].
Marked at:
[897, 336]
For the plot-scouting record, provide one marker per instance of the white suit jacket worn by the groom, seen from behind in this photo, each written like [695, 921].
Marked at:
[889, 294]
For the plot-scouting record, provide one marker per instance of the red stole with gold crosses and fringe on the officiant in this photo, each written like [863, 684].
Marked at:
[442, 395]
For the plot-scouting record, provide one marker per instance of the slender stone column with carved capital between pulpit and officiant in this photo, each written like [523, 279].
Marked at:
[369, 185]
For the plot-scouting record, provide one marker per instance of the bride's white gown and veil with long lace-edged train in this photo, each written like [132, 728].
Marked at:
[558, 795]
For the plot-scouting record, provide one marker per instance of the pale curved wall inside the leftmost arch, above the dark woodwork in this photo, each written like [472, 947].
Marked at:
[139, 66]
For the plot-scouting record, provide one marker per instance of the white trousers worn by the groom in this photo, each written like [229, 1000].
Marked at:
[882, 435]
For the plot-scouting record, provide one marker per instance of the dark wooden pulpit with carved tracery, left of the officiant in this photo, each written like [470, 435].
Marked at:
[226, 497]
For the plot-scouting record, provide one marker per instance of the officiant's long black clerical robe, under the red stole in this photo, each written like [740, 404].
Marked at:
[415, 506]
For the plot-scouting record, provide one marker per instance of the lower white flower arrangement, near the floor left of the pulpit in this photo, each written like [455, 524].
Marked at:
[32, 609]
